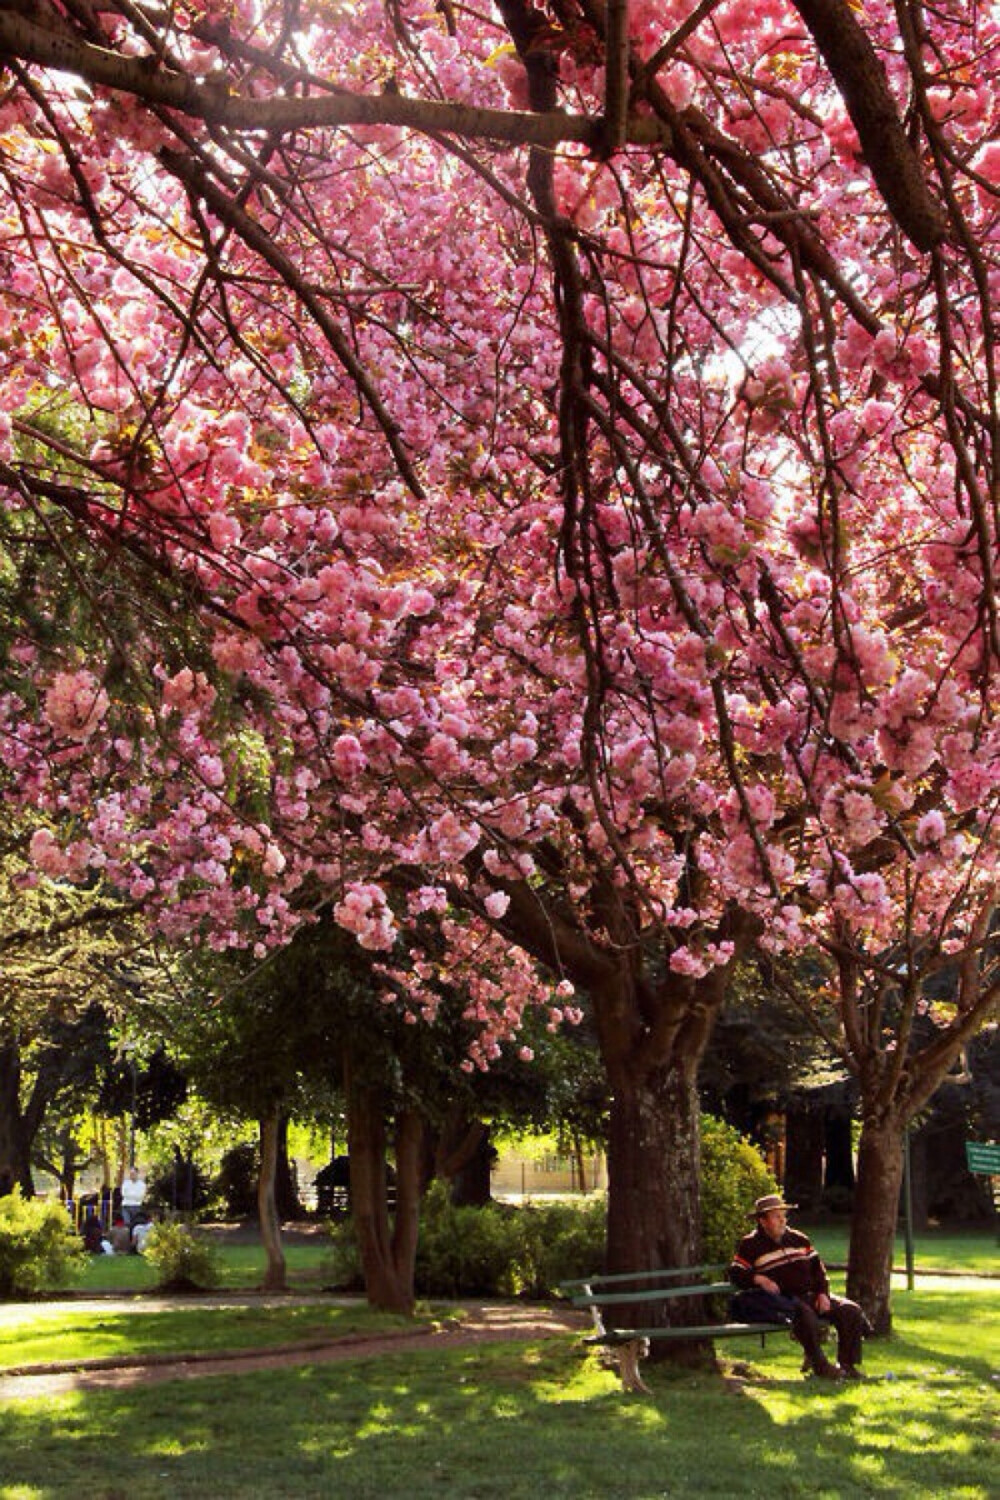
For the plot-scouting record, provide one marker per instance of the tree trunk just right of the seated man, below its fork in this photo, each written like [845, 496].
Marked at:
[875, 1217]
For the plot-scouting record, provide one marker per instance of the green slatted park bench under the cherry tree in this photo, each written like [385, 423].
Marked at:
[603, 1295]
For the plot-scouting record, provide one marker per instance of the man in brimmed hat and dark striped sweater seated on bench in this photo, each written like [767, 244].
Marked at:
[782, 1279]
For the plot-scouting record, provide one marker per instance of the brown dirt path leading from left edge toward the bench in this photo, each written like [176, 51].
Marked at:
[478, 1325]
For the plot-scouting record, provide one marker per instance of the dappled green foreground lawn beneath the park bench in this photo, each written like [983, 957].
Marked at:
[533, 1420]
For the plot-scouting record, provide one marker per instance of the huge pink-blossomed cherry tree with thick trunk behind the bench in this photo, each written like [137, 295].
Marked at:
[549, 457]
